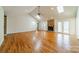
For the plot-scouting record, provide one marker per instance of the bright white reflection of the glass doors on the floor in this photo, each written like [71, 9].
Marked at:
[63, 40]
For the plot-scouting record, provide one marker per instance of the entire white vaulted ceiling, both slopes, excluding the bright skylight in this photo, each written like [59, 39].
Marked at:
[46, 12]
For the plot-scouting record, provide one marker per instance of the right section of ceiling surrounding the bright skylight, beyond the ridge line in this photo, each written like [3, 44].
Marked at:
[47, 13]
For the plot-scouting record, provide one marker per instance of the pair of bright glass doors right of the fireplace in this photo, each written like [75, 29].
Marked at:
[63, 26]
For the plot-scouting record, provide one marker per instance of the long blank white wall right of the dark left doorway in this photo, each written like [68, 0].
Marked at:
[21, 24]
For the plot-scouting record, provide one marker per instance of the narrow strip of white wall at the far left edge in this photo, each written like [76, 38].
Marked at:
[1, 25]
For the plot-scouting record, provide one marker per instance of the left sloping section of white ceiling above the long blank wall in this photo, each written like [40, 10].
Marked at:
[17, 10]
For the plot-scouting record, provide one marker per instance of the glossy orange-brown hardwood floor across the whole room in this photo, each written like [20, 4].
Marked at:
[40, 41]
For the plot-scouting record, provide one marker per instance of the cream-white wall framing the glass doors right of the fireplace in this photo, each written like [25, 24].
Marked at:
[72, 24]
